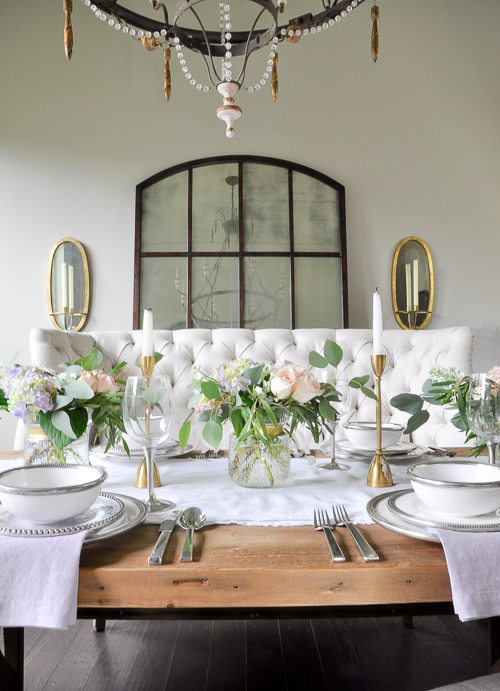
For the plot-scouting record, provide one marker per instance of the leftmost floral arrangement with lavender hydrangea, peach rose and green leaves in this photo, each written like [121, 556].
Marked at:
[63, 404]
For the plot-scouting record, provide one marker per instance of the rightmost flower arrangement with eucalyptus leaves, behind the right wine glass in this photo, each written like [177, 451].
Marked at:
[446, 387]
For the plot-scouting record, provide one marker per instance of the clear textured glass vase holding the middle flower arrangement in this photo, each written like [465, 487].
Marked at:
[255, 465]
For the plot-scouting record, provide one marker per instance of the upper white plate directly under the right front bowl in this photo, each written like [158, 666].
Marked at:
[408, 506]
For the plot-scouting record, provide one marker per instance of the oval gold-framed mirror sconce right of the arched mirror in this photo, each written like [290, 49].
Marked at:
[412, 284]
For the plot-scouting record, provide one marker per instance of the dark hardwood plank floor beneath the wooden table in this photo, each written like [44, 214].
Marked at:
[287, 655]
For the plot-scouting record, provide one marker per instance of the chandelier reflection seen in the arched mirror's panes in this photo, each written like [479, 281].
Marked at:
[263, 305]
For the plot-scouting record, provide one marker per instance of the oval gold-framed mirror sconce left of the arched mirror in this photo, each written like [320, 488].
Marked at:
[68, 285]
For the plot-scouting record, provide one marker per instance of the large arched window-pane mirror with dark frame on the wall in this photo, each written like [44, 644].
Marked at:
[241, 241]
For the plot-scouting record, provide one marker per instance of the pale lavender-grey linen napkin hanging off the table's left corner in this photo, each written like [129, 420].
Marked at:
[39, 580]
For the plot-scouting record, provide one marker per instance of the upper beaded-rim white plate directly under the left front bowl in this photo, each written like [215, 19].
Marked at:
[106, 509]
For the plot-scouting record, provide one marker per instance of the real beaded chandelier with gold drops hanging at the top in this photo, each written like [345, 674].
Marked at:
[171, 33]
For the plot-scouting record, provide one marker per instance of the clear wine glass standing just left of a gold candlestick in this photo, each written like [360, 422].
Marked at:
[148, 416]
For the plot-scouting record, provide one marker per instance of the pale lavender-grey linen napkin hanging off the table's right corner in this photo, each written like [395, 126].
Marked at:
[474, 566]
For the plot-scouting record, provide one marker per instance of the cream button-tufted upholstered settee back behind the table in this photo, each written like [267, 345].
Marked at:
[410, 356]
